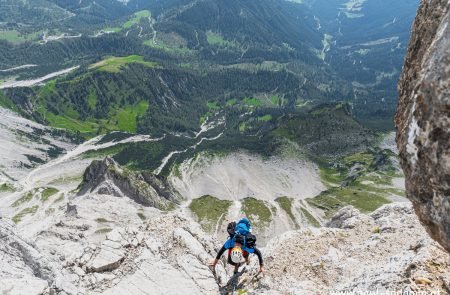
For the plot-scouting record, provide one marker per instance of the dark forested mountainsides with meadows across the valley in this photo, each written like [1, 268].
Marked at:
[207, 59]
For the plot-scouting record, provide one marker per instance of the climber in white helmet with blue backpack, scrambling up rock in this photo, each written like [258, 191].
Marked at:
[241, 242]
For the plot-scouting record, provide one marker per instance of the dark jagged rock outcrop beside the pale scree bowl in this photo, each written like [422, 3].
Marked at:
[108, 178]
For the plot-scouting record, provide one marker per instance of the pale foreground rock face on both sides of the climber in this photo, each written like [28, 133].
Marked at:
[117, 246]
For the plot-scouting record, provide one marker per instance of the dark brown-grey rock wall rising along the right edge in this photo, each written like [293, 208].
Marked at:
[422, 119]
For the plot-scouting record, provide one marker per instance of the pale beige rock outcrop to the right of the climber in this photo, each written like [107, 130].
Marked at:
[387, 250]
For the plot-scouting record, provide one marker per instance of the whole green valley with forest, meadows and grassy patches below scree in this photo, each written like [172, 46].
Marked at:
[212, 77]
